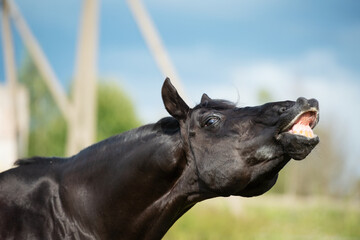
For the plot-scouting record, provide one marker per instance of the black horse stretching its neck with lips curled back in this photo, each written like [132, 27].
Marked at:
[137, 184]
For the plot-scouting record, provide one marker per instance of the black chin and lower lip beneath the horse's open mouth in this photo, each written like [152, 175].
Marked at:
[297, 146]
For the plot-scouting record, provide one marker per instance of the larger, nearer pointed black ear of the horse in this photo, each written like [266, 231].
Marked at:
[174, 104]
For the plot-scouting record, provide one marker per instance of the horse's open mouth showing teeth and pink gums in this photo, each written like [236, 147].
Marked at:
[303, 124]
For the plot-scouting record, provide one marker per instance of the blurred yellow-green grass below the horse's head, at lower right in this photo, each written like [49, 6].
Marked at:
[269, 218]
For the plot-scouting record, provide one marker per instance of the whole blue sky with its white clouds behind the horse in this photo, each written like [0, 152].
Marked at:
[229, 49]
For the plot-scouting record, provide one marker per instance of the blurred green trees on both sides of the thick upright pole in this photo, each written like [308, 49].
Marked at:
[115, 113]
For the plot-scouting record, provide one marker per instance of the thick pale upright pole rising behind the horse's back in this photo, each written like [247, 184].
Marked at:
[82, 124]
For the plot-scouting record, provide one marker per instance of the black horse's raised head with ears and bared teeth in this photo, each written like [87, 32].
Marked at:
[240, 151]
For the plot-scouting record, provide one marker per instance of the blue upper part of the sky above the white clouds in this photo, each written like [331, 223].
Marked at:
[220, 33]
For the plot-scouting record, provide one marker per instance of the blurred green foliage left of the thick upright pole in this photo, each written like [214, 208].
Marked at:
[47, 126]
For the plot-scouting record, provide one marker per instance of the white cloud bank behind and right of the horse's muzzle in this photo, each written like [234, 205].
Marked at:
[313, 75]
